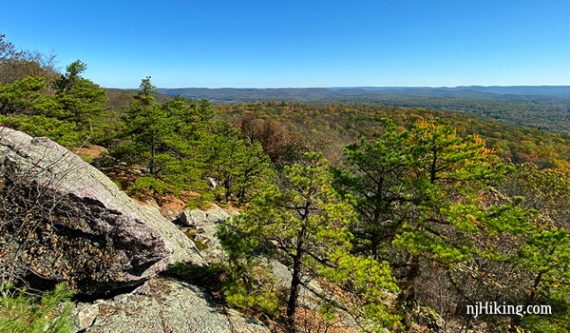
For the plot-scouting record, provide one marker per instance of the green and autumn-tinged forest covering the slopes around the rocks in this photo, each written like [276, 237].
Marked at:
[402, 215]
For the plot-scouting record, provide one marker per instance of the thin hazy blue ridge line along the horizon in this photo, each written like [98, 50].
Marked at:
[370, 93]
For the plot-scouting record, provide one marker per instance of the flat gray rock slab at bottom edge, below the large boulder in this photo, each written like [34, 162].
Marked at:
[164, 305]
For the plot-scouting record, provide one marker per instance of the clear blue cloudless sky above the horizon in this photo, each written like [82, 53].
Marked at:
[306, 43]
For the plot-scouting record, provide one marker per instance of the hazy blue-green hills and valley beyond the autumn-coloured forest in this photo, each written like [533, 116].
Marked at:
[542, 107]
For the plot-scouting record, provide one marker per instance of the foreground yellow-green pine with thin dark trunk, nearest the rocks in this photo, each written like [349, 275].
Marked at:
[305, 223]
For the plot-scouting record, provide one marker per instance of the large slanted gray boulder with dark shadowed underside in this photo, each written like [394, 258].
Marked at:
[84, 230]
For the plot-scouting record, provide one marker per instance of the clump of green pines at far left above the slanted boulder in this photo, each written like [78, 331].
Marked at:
[70, 117]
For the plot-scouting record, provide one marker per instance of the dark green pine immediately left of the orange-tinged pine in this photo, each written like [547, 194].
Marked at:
[377, 175]
